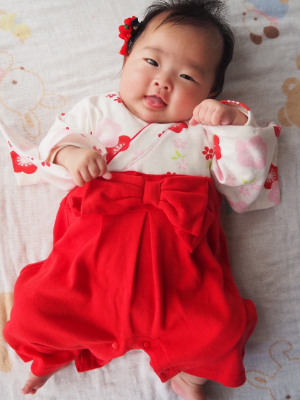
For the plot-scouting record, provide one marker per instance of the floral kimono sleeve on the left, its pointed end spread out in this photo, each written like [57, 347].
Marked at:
[33, 165]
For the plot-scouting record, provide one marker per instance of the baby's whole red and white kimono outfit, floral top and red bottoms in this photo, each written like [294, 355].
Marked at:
[140, 261]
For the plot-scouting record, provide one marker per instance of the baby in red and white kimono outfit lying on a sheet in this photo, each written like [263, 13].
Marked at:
[138, 241]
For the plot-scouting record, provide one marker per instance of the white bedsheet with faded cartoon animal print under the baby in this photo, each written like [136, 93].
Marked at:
[54, 53]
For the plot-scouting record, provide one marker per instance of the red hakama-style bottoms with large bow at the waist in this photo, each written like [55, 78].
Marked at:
[138, 262]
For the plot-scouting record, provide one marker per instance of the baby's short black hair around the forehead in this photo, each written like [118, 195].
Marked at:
[203, 14]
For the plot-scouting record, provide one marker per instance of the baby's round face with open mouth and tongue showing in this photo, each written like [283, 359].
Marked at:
[170, 70]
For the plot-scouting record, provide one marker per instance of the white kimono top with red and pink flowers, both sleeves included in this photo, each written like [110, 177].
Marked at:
[241, 160]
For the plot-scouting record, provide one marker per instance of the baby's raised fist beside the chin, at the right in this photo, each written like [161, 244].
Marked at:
[212, 112]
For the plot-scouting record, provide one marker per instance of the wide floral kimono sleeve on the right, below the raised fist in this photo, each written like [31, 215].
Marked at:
[244, 166]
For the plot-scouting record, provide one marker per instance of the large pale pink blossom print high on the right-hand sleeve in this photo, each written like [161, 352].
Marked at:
[252, 154]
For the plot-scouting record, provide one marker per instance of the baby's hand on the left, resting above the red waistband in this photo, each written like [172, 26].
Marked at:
[83, 164]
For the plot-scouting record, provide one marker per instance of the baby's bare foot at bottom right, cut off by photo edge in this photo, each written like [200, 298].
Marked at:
[189, 387]
